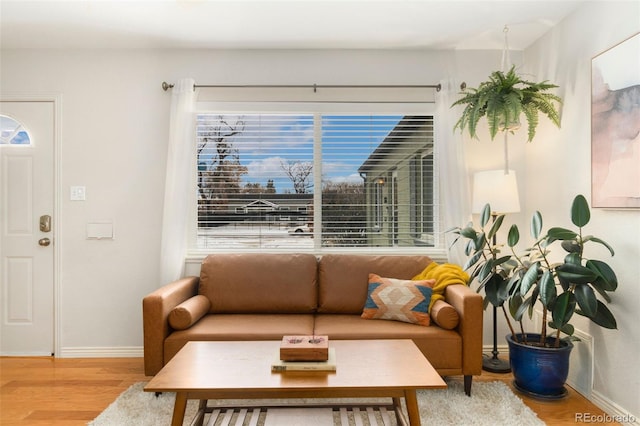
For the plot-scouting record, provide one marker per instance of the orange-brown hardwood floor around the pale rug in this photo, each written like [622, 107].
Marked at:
[58, 391]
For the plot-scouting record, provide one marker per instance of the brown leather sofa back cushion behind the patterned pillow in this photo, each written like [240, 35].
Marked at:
[343, 279]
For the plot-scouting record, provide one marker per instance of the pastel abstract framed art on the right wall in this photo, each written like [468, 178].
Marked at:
[615, 126]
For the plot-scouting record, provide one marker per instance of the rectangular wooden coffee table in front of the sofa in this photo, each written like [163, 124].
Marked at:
[242, 370]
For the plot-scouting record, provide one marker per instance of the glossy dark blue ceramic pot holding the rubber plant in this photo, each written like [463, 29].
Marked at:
[538, 371]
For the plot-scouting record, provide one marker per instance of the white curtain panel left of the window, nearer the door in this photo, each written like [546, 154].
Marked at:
[179, 175]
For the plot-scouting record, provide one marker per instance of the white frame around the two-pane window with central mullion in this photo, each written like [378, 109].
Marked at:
[437, 252]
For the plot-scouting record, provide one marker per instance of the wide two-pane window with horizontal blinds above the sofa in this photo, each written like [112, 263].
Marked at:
[314, 181]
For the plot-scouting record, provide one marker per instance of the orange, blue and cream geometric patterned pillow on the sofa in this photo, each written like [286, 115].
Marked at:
[398, 300]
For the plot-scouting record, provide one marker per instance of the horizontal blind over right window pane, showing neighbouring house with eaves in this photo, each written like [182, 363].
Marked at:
[394, 197]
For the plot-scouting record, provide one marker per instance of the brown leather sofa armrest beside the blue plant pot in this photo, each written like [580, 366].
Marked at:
[469, 305]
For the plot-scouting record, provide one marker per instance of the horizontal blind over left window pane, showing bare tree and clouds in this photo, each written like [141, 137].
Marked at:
[254, 180]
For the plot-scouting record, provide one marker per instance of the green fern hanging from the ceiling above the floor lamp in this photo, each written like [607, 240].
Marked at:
[502, 99]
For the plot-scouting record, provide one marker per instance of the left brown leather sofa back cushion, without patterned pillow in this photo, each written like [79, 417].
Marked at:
[260, 283]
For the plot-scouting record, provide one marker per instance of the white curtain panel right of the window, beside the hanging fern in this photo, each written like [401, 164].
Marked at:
[454, 181]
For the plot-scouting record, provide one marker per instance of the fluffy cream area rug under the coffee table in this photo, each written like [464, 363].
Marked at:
[491, 403]
